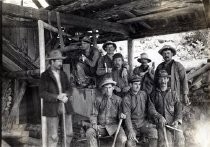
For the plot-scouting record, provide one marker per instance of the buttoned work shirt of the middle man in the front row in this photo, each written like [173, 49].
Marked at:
[137, 109]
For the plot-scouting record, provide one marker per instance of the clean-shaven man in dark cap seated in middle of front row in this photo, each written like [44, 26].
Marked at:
[137, 107]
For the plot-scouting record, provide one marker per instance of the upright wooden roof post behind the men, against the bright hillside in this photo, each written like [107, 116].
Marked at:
[130, 54]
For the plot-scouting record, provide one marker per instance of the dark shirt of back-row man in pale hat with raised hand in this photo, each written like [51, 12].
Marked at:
[147, 80]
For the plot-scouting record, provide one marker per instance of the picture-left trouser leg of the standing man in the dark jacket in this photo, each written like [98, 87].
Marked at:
[52, 131]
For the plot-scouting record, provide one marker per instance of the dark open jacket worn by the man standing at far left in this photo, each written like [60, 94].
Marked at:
[49, 91]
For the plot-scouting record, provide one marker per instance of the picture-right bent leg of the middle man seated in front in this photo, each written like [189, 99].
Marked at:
[151, 132]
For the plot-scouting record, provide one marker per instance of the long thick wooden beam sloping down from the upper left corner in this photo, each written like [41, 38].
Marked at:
[66, 19]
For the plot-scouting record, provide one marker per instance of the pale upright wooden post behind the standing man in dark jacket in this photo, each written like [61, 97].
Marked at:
[42, 69]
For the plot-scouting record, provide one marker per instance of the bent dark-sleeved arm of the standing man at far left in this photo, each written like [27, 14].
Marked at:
[43, 88]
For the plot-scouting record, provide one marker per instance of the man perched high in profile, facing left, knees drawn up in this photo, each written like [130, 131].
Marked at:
[88, 62]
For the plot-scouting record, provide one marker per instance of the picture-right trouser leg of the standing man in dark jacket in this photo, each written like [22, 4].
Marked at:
[69, 130]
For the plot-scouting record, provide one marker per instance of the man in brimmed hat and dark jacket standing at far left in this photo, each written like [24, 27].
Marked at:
[54, 85]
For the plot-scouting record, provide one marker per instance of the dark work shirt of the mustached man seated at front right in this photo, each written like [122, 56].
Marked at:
[168, 105]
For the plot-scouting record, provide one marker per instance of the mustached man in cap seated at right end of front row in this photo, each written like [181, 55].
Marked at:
[169, 107]
